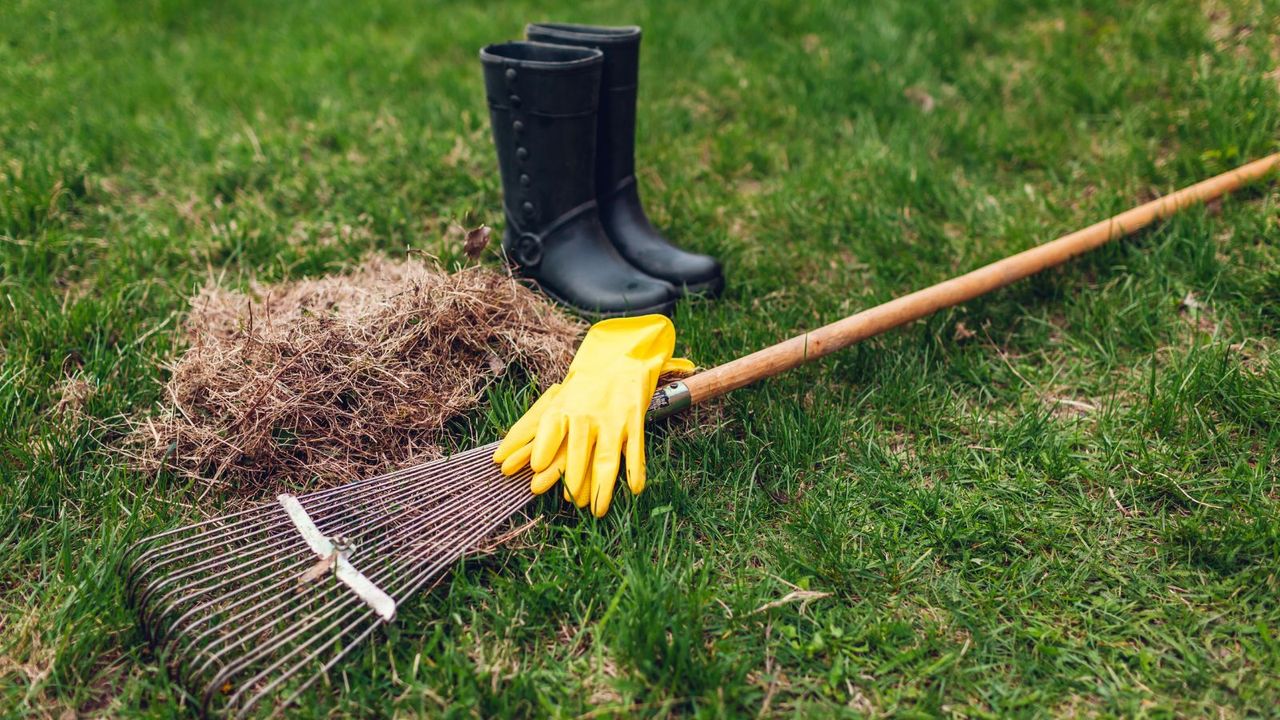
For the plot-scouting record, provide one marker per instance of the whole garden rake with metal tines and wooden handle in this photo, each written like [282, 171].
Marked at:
[260, 605]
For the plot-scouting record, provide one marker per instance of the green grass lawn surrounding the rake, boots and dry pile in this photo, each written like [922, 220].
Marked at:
[1073, 512]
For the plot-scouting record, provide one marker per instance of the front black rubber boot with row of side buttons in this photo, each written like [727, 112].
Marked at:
[543, 102]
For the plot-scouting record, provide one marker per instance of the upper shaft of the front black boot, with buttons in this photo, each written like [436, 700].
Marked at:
[543, 102]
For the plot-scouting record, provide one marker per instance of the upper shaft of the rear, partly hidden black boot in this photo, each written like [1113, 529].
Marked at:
[619, 86]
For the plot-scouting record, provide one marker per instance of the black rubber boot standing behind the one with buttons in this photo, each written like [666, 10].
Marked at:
[615, 168]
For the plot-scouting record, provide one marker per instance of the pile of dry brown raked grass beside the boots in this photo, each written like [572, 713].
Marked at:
[326, 381]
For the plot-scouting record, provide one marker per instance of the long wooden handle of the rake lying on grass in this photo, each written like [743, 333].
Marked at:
[884, 318]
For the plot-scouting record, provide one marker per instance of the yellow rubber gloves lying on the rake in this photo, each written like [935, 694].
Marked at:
[582, 426]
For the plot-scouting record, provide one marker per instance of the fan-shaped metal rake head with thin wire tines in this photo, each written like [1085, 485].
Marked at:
[252, 609]
